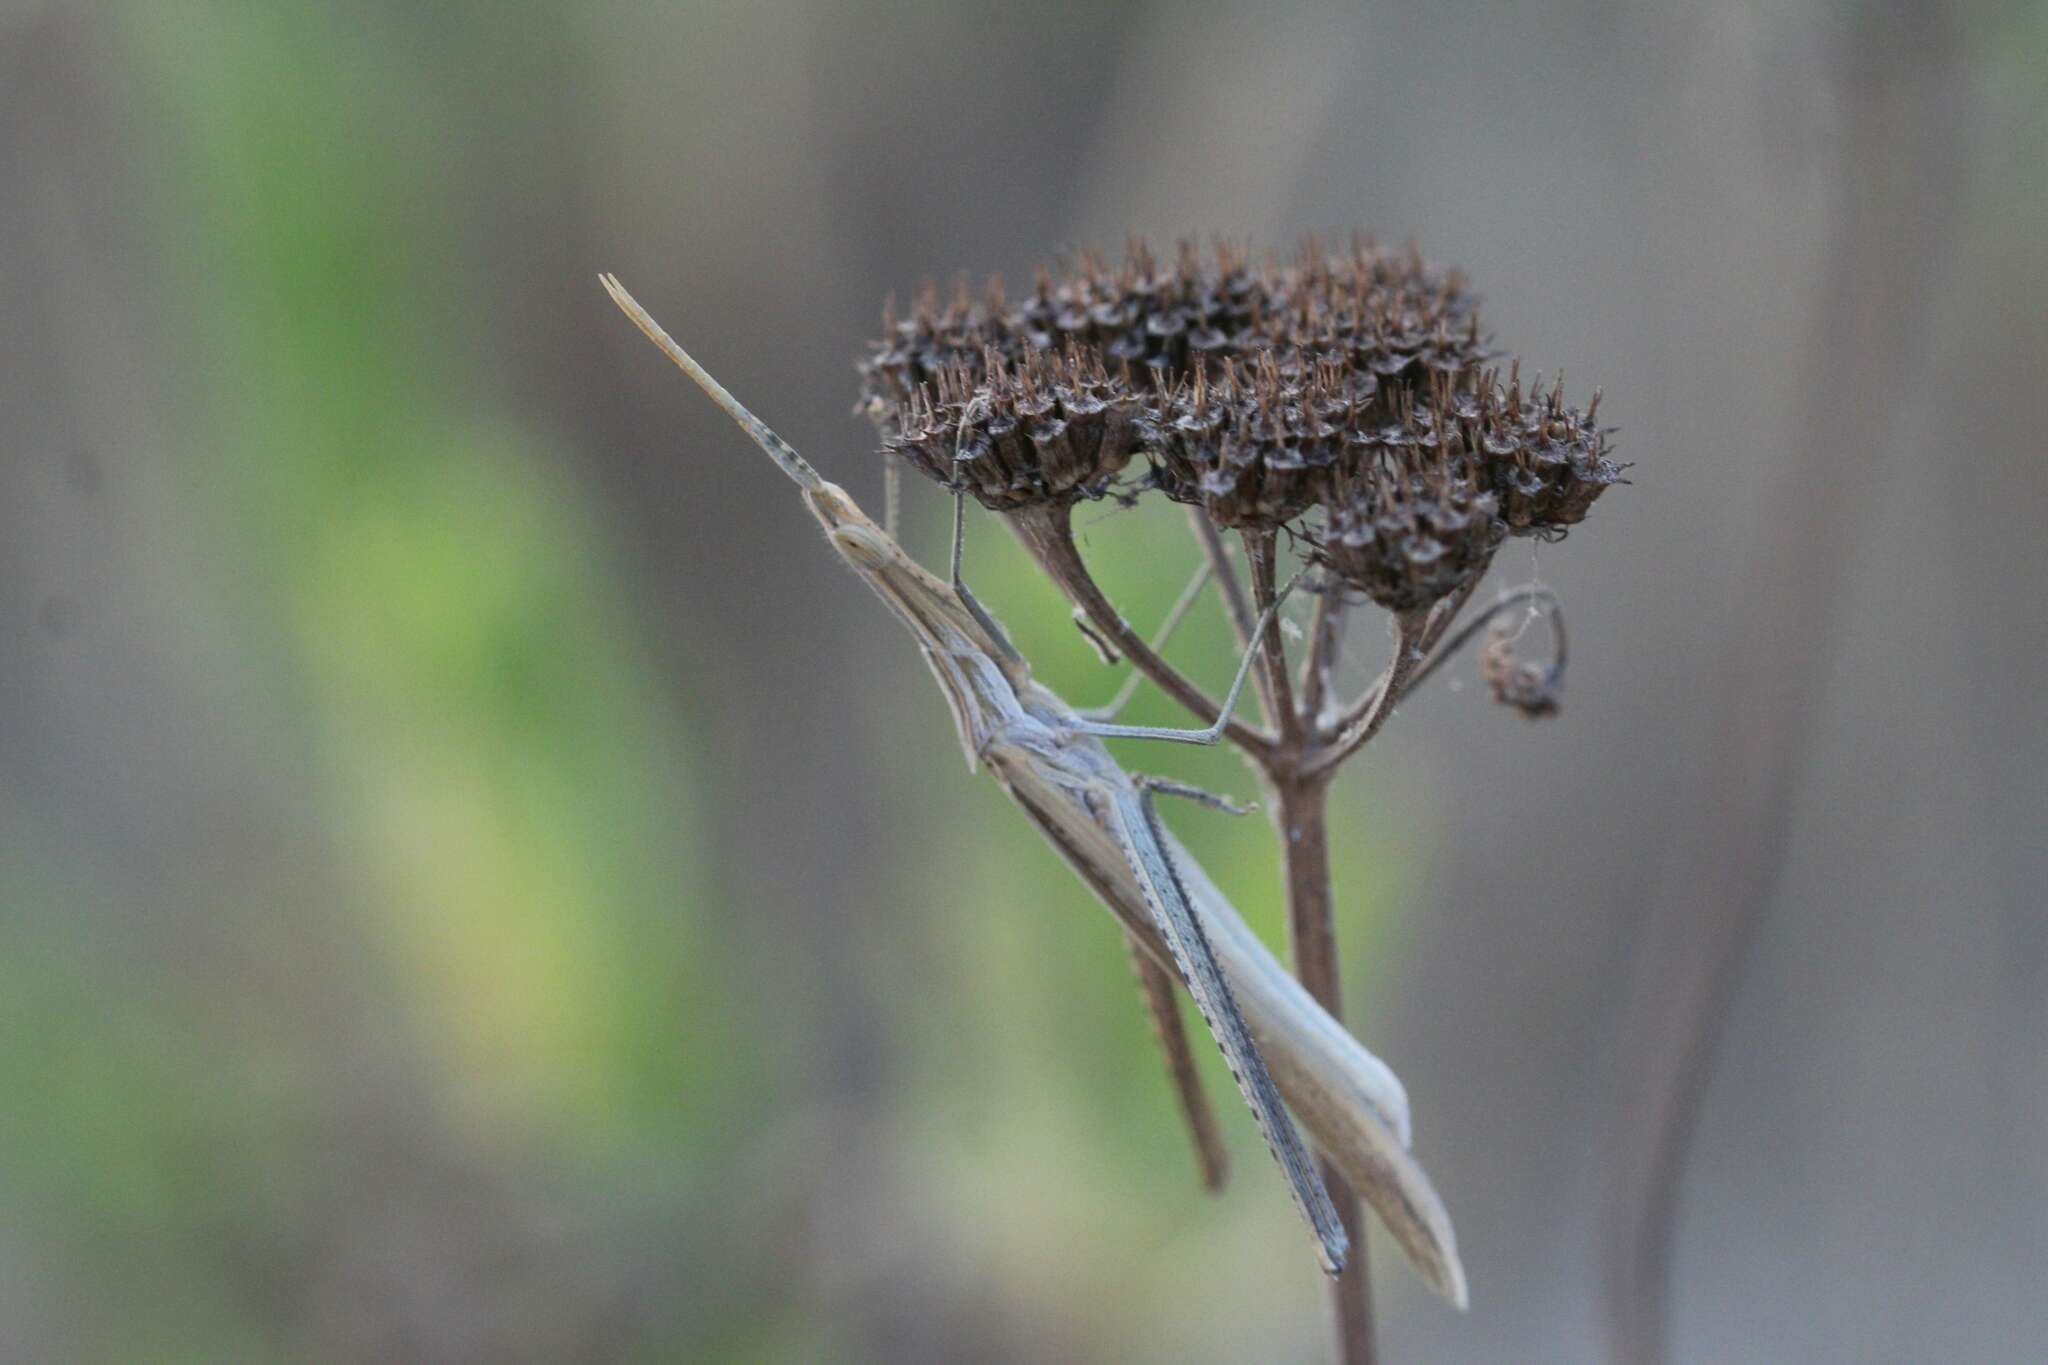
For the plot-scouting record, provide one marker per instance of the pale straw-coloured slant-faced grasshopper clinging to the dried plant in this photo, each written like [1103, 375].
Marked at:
[1050, 758]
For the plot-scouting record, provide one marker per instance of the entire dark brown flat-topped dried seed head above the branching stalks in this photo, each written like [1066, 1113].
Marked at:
[1338, 396]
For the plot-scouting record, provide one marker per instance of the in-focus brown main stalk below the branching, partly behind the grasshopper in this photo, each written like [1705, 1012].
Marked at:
[1302, 811]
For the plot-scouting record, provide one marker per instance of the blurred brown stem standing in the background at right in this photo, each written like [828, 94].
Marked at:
[1887, 228]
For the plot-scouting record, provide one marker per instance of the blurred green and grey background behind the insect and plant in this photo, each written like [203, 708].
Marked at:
[480, 885]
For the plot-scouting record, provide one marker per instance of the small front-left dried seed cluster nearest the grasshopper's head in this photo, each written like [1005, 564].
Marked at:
[1048, 431]
